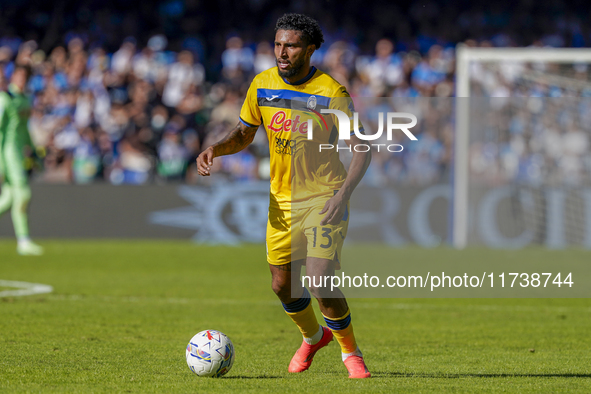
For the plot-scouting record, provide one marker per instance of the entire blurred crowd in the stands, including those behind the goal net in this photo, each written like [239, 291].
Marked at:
[126, 98]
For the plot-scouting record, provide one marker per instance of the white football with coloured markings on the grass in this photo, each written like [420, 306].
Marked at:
[210, 353]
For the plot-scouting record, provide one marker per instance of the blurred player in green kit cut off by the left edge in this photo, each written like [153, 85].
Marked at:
[14, 137]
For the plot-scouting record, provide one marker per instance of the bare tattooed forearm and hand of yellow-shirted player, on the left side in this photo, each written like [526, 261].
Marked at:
[239, 138]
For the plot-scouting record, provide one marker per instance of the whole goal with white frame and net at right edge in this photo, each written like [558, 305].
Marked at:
[523, 147]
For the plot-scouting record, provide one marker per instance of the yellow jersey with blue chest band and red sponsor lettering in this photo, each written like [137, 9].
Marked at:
[301, 172]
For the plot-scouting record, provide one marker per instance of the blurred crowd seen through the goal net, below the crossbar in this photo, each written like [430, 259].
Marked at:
[531, 124]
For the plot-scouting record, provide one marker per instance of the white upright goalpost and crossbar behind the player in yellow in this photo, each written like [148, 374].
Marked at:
[465, 55]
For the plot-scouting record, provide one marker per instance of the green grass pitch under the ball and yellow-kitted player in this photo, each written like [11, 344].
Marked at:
[122, 313]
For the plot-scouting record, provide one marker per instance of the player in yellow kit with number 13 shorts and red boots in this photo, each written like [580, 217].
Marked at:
[306, 226]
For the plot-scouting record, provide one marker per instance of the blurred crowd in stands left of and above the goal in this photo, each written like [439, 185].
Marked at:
[130, 107]
